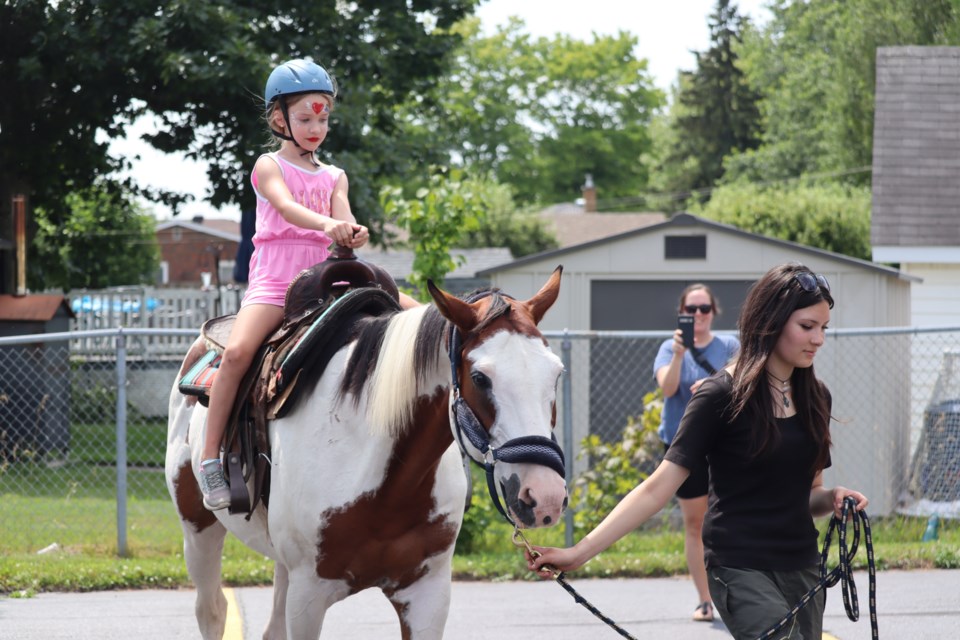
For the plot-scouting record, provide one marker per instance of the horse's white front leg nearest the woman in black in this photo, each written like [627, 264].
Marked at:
[423, 606]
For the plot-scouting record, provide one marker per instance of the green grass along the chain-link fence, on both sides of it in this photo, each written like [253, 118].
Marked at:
[73, 504]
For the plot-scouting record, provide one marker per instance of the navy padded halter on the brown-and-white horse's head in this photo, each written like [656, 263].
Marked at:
[525, 449]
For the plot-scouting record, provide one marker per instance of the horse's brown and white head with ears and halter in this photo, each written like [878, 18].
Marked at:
[504, 399]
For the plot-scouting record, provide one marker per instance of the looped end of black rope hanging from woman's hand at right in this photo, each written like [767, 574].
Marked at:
[843, 572]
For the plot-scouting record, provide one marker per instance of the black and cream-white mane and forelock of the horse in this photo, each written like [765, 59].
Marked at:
[395, 358]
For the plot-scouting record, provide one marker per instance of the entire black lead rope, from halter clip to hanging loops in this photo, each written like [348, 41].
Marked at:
[842, 573]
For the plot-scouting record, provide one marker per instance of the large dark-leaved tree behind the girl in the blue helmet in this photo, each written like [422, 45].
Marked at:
[70, 84]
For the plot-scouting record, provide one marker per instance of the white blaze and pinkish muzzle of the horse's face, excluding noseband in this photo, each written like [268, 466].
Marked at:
[524, 373]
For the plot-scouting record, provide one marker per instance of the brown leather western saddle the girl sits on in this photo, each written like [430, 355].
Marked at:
[321, 309]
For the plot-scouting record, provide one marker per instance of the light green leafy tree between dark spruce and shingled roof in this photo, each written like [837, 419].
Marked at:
[814, 64]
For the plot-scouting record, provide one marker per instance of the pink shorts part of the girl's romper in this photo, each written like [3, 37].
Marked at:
[275, 264]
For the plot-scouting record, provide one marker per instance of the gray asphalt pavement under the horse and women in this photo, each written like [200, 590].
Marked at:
[912, 605]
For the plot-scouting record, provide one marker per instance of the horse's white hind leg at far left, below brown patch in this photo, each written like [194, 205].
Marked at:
[203, 553]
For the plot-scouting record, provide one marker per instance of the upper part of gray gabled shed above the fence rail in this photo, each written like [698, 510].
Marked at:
[631, 281]
